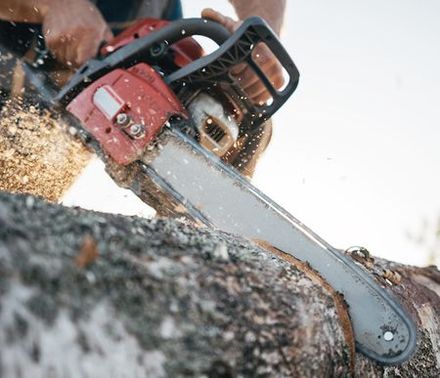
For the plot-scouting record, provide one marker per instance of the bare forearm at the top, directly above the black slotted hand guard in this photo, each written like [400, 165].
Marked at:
[271, 10]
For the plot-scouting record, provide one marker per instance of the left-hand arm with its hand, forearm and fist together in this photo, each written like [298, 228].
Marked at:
[73, 29]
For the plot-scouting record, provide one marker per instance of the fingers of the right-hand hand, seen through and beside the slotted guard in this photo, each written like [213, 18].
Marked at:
[262, 56]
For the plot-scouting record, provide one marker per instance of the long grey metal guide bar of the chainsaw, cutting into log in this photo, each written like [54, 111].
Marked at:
[219, 197]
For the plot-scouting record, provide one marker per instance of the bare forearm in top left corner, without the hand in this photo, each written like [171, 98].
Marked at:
[24, 10]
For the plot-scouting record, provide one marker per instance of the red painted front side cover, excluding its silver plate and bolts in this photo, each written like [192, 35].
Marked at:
[147, 100]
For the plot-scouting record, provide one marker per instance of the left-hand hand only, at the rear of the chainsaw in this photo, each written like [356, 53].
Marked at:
[74, 30]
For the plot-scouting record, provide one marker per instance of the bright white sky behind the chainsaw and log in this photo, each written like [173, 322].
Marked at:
[355, 152]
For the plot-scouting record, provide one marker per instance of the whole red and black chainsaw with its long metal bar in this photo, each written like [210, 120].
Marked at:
[162, 114]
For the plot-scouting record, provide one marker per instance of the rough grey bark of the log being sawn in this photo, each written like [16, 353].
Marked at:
[85, 294]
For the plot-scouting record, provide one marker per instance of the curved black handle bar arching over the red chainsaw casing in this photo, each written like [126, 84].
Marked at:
[140, 50]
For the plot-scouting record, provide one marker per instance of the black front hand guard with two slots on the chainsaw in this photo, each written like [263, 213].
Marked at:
[215, 68]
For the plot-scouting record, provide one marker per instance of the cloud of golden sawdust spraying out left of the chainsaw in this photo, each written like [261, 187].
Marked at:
[37, 154]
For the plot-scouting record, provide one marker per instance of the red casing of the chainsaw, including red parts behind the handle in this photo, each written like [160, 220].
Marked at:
[137, 95]
